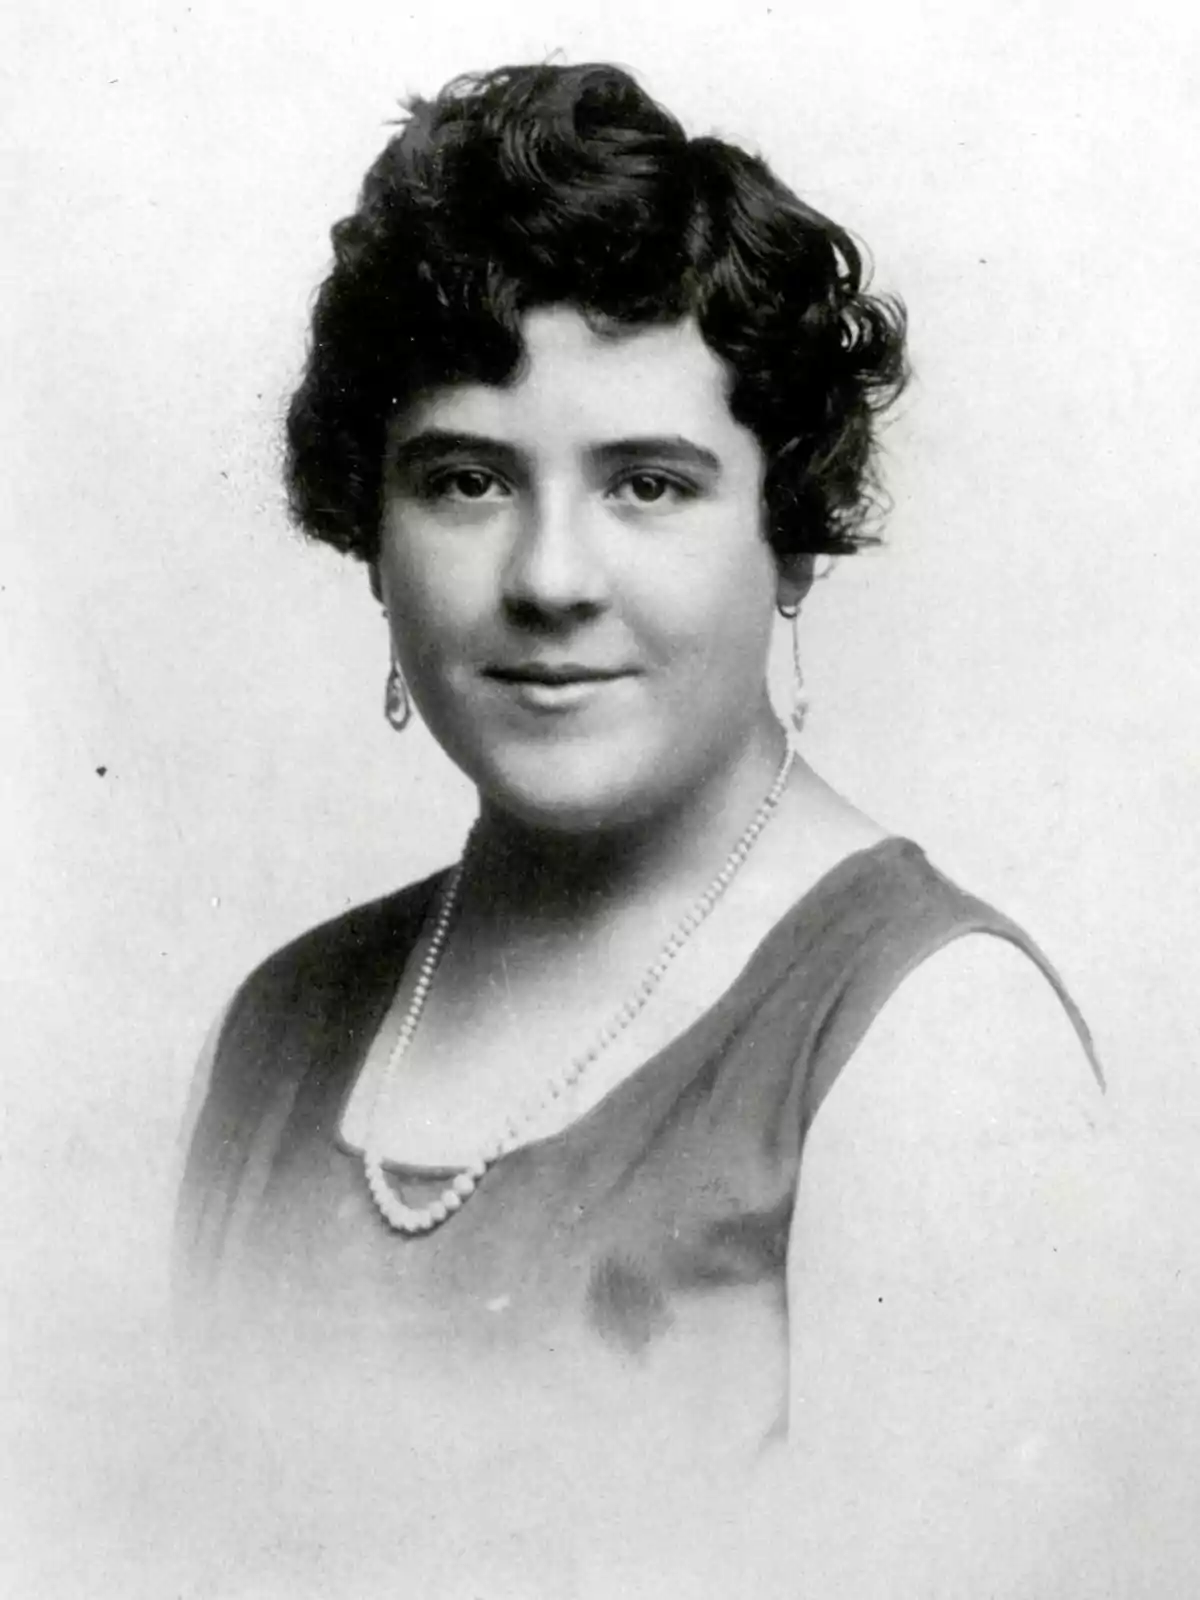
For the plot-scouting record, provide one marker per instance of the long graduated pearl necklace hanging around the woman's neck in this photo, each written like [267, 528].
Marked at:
[422, 1220]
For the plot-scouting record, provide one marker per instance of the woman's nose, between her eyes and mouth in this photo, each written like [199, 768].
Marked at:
[554, 572]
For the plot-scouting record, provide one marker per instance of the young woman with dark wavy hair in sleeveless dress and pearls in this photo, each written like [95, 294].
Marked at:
[590, 399]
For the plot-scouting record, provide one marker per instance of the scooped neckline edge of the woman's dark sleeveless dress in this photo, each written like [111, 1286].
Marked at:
[743, 991]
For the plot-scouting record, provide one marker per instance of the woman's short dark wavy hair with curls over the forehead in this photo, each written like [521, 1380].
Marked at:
[548, 185]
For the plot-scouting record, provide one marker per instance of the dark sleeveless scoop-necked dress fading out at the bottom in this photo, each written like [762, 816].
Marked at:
[650, 1234]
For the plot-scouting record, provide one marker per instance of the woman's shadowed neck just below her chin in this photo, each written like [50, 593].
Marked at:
[527, 874]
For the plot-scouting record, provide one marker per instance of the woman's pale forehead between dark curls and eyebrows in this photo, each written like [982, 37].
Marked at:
[578, 386]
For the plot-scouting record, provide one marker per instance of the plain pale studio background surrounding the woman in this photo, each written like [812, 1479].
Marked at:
[194, 761]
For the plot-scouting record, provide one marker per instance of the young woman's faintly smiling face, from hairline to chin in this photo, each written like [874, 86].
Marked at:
[580, 591]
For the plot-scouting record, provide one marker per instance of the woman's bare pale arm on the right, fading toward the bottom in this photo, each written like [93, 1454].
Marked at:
[948, 1281]
